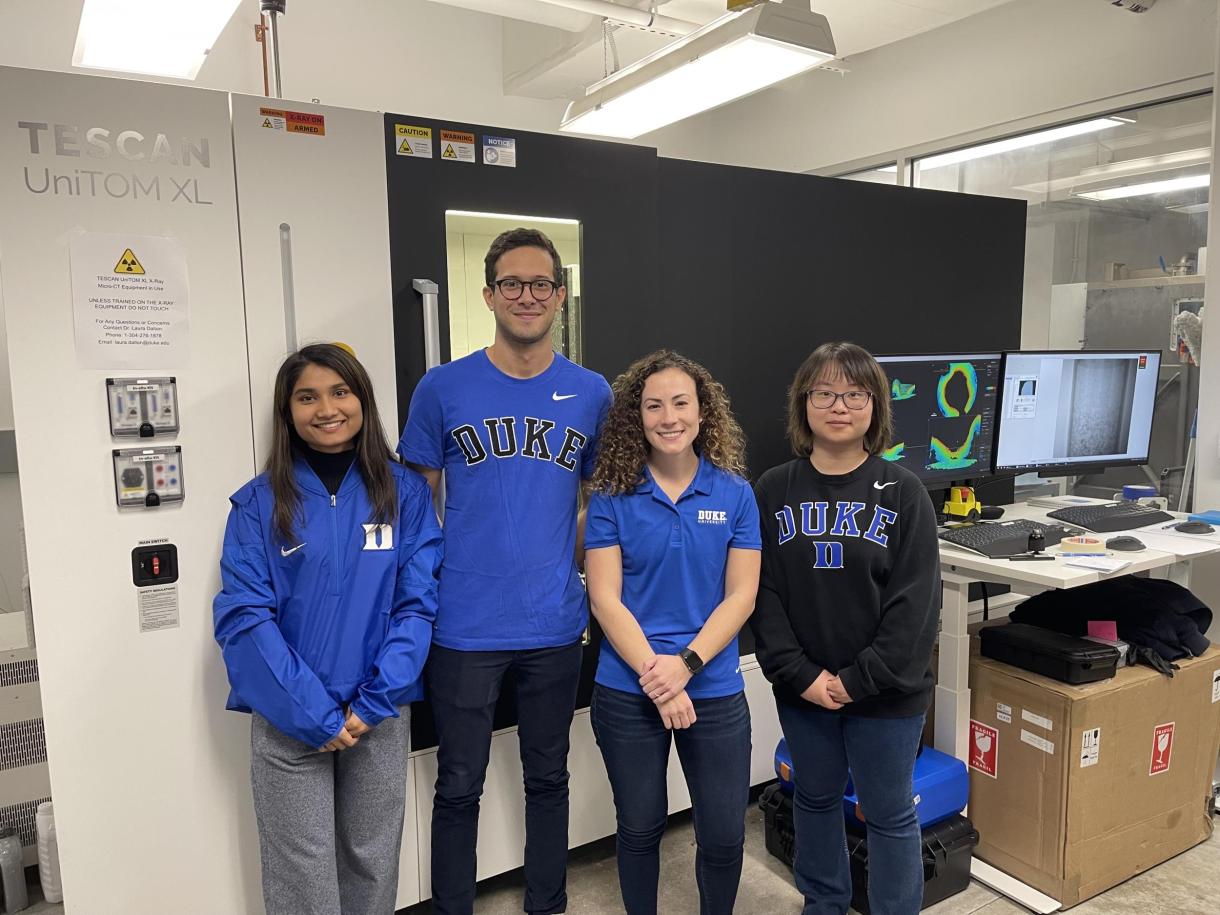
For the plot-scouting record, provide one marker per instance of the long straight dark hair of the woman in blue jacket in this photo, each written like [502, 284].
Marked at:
[373, 448]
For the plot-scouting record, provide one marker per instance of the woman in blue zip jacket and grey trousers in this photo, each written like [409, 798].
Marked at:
[325, 620]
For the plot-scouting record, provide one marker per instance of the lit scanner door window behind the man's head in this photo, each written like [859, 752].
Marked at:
[468, 239]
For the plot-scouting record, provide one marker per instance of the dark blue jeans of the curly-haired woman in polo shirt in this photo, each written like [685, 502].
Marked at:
[716, 755]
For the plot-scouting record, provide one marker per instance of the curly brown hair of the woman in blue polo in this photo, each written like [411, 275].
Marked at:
[623, 450]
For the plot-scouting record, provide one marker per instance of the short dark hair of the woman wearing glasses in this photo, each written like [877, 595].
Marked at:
[858, 367]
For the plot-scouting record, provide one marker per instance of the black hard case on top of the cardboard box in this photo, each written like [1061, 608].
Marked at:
[1052, 655]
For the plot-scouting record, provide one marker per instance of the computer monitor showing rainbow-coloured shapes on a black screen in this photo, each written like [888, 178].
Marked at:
[945, 414]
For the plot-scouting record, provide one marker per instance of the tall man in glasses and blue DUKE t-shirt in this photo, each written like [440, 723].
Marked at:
[514, 428]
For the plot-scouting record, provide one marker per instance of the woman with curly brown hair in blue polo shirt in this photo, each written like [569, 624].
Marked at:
[673, 563]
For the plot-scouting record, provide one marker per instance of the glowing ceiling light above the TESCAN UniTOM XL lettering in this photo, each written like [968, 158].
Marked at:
[168, 38]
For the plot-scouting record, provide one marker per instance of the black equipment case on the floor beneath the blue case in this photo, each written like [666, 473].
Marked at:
[949, 846]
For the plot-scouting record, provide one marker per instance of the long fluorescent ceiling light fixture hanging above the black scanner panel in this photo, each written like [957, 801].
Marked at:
[730, 58]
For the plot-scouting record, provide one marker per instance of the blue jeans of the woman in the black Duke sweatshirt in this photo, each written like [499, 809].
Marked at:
[881, 755]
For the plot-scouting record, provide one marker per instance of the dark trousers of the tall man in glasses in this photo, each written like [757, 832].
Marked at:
[463, 689]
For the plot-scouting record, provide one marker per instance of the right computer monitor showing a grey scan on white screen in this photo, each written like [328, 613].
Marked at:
[1077, 412]
